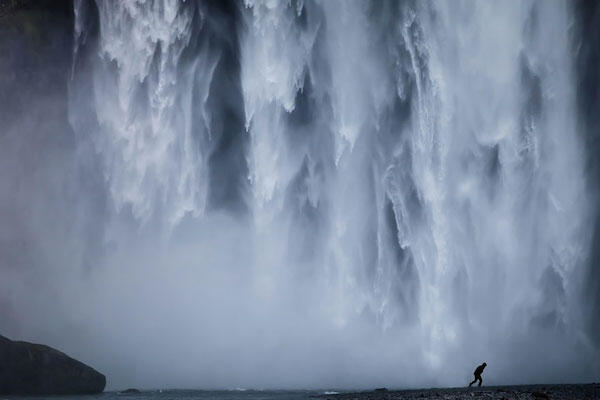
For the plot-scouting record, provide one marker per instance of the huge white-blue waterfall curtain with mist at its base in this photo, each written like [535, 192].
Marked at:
[329, 193]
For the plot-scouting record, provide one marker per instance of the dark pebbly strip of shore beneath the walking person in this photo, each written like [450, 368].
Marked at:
[537, 392]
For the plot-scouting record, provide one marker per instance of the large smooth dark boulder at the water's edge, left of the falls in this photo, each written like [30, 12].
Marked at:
[35, 369]
